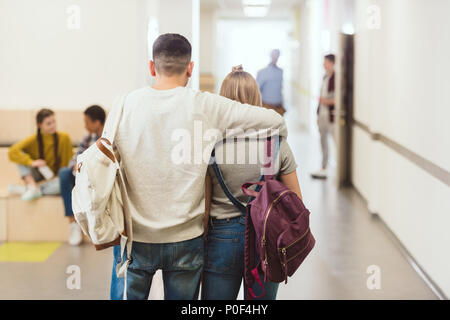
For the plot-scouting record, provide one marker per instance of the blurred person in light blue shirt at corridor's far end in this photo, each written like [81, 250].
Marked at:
[270, 80]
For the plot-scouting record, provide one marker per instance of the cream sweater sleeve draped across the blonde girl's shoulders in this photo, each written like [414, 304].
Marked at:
[242, 120]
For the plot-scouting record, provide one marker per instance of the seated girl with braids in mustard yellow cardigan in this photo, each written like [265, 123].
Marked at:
[40, 155]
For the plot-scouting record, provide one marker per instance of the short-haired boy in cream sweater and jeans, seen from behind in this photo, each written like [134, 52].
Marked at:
[159, 139]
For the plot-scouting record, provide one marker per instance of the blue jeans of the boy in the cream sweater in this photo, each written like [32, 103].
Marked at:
[180, 262]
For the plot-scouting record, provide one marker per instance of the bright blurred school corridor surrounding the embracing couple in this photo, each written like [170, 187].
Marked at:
[380, 206]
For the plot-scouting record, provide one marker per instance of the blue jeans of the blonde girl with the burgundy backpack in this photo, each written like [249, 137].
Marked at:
[224, 262]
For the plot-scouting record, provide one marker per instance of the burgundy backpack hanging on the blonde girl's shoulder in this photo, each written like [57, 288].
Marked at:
[277, 226]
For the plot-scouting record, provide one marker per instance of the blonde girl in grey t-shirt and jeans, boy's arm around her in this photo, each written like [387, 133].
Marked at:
[224, 259]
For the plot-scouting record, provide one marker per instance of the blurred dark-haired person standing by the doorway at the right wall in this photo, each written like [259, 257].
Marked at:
[325, 113]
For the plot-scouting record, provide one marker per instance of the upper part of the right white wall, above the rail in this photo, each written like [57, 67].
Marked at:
[408, 67]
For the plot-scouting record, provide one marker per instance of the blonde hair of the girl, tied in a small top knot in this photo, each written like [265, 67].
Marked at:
[241, 86]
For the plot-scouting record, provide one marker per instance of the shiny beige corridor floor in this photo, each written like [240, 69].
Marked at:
[348, 240]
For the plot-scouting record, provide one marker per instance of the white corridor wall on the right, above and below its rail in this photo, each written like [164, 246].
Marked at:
[401, 76]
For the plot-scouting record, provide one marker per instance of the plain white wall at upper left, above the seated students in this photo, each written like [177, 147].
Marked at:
[45, 64]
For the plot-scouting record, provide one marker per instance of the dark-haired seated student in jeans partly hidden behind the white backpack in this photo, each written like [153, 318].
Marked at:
[94, 120]
